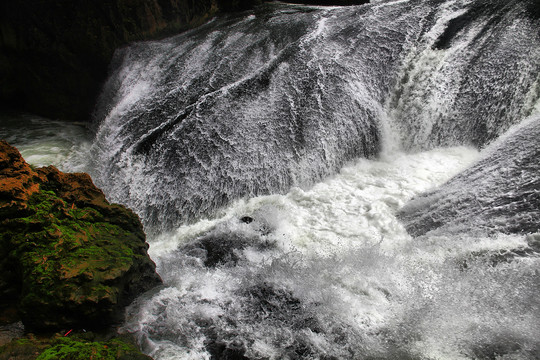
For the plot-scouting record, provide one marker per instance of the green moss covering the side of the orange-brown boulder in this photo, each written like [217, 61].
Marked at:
[65, 254]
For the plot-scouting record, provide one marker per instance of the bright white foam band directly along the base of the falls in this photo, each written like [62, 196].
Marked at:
[353, 208]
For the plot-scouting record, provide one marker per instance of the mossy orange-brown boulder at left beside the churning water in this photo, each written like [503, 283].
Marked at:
[68, 258]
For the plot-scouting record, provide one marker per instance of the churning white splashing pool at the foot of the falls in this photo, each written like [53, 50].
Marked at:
[330, 272]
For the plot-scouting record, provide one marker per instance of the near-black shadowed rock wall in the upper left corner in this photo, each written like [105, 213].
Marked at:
[54, 54]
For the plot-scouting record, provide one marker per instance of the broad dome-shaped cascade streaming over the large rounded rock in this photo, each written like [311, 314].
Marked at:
[244, 107]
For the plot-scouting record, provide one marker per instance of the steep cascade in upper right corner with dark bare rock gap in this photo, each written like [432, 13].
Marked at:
[470, 77]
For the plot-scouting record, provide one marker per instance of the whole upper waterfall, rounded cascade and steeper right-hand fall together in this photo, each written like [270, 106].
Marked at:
[252, 105]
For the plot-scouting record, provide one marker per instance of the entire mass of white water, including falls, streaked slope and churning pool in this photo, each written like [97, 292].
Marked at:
[329, 183]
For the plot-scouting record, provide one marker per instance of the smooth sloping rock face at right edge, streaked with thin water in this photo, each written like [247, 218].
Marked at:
[499, 194]
